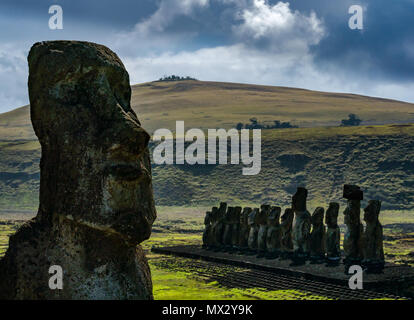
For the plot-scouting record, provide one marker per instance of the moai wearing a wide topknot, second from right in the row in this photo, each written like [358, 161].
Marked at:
[353, 235]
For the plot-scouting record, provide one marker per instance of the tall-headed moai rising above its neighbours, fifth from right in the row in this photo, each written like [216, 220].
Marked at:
[302, 227]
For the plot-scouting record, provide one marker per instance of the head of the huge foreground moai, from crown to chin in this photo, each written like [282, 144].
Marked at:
[95, 167]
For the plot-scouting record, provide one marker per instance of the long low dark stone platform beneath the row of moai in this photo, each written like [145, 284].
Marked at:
[395, 279]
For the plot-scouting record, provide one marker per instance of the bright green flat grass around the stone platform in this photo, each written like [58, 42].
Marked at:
[174, 279]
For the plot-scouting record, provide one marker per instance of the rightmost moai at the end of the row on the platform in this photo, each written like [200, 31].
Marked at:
[373, 238]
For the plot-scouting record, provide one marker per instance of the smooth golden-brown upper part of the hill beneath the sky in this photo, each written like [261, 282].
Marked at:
[222, 105]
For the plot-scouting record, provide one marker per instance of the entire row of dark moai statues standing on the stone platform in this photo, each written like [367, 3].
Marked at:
[269, 234]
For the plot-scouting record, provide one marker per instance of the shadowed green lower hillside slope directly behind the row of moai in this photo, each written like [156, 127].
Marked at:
[379, 158]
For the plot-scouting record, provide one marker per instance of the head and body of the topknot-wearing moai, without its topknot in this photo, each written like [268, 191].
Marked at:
[353, 235]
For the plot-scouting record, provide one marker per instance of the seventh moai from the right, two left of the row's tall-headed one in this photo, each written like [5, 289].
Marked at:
[274, 233]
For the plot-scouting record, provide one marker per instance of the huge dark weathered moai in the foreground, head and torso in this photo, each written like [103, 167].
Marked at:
[96, 200]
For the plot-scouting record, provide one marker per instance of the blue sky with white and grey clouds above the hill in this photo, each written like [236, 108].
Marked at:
[298, 43]
